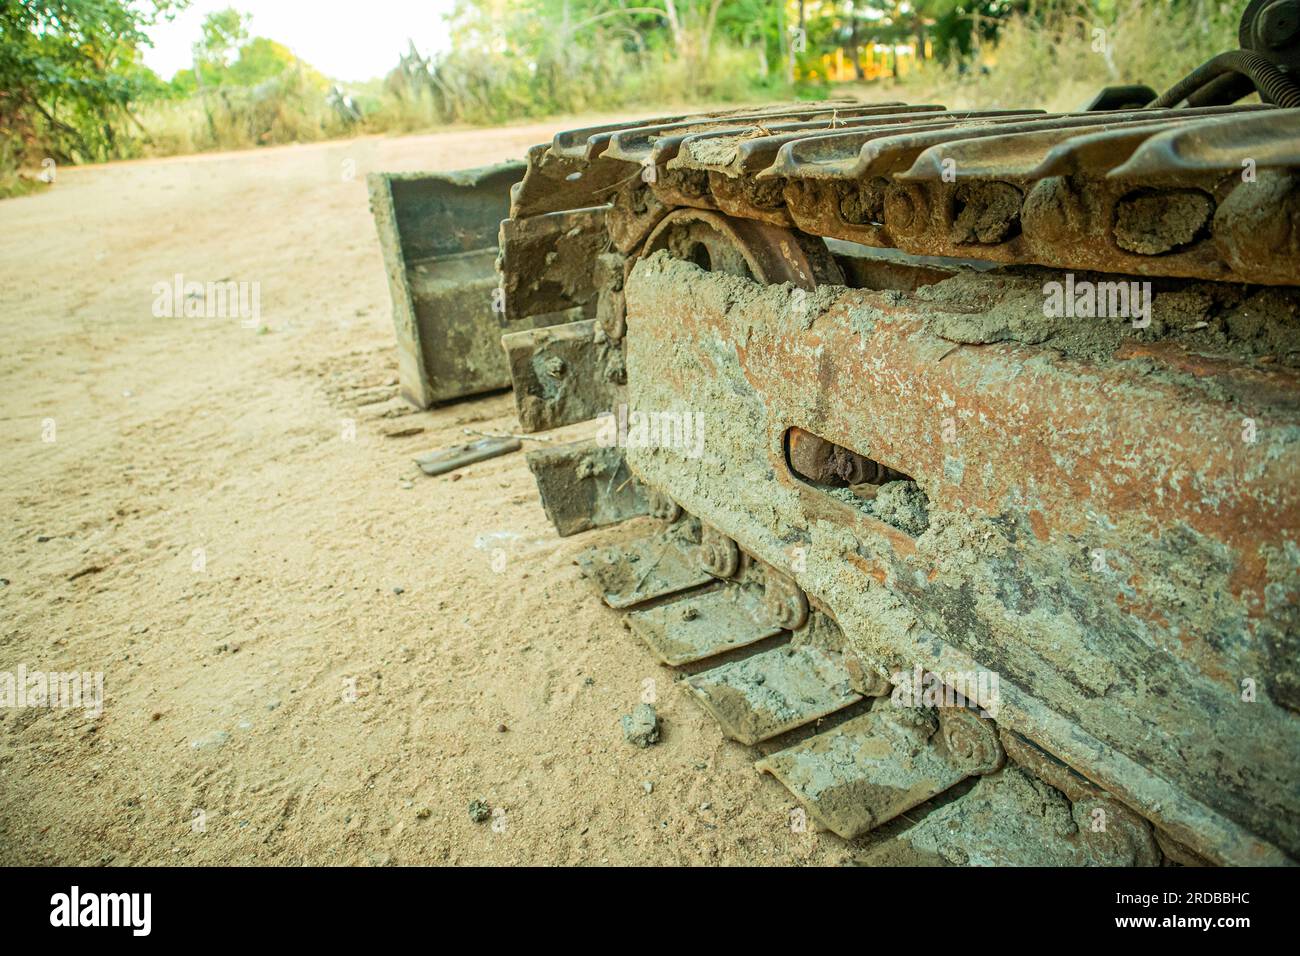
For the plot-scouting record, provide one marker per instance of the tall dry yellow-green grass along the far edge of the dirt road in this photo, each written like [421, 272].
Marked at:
[1056, 59]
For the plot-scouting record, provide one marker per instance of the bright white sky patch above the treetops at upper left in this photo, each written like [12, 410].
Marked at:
[345, 40]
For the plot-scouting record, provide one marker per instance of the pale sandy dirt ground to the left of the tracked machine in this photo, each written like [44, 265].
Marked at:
[201, 531]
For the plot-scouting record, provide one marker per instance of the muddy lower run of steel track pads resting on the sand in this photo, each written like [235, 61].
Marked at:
[860, 763]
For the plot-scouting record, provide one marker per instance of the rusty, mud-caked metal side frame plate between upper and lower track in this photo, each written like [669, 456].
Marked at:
[1133, 673]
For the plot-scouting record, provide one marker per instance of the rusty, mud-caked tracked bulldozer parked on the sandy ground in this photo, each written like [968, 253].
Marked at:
[968, 442]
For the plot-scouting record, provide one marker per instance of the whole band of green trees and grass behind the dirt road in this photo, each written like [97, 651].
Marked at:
[73, 86]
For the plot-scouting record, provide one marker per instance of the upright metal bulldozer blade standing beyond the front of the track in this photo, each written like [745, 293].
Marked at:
[439, 235]
